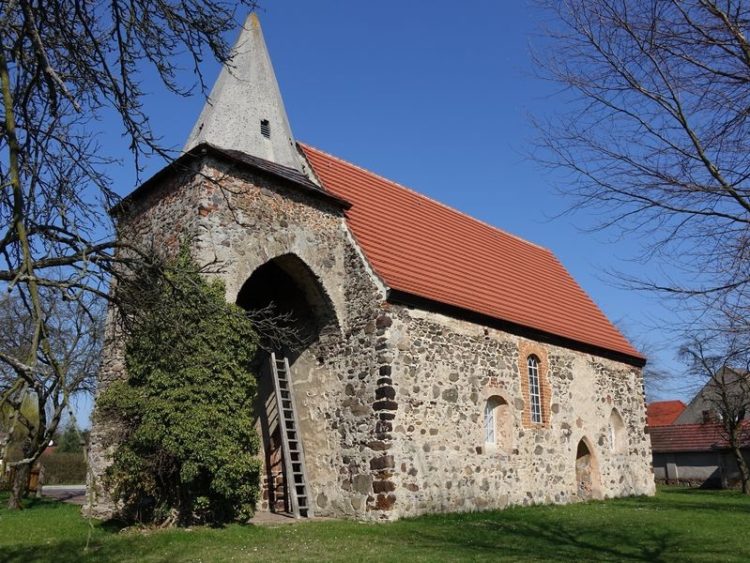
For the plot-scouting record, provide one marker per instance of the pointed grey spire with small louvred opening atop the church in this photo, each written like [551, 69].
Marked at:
[245, 111]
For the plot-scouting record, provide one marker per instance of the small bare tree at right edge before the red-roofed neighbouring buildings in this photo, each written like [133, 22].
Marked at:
[723, 363]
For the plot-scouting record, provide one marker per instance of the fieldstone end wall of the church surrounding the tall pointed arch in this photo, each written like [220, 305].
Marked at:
[249, 221]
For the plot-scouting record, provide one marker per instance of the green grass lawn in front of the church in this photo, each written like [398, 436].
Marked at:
[676, 525]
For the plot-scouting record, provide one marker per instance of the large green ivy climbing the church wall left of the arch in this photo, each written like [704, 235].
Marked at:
[189, 447]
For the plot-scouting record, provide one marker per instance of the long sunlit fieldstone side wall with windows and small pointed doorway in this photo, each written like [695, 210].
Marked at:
[442, 373]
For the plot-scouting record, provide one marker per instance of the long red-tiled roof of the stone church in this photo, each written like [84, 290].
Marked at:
[429, 250]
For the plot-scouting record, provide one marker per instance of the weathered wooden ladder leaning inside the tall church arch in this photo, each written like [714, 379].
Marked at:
[291, 442]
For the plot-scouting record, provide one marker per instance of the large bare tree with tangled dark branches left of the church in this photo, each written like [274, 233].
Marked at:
[62, 66]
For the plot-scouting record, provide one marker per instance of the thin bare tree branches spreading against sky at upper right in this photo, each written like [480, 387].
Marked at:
[657, 134]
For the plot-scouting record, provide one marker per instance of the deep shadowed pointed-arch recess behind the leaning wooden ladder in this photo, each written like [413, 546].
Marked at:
[293, 312]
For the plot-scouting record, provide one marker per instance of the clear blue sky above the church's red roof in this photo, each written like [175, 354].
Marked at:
[437, 96]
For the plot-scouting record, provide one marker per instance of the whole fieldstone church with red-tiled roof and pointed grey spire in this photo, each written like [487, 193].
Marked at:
[447, 366]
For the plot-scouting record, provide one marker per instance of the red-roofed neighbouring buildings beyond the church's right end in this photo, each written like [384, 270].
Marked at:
[689, 442]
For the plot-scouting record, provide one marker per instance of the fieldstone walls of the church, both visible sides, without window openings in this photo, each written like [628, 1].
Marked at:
[391, 399]
